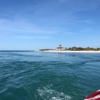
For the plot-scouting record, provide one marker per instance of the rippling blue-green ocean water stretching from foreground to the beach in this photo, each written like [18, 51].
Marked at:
[48, 76]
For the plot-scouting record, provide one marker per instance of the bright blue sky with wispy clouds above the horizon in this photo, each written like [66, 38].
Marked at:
[42, 24]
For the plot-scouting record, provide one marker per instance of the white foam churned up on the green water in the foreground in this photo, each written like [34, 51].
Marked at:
[49, 94]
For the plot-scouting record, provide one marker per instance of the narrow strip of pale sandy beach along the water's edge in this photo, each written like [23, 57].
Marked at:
[72, 51]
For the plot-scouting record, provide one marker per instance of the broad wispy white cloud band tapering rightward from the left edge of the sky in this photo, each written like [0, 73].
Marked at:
[7, 26]
